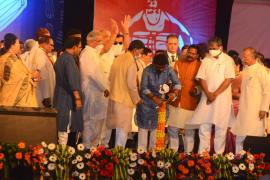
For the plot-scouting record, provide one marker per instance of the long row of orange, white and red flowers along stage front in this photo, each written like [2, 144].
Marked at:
[63, 162]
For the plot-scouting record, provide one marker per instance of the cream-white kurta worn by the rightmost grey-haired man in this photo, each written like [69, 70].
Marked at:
[255, 96]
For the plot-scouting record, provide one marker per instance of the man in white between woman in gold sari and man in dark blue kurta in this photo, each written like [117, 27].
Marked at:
[42, 63]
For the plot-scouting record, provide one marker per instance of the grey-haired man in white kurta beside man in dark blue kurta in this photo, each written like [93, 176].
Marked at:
[94, 88]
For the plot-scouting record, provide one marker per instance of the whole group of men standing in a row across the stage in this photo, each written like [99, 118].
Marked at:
[97, 89]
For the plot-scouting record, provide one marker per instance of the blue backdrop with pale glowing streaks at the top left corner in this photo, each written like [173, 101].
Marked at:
[24, 17]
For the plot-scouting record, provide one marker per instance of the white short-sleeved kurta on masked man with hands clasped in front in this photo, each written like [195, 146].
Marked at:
[219, 112]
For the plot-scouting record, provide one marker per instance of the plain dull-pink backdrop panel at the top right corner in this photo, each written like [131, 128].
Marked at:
[250, 26]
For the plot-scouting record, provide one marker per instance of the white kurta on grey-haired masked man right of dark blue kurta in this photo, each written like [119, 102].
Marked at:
[94, 84]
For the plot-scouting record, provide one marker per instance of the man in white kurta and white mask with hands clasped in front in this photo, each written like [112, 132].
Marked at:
[215, 108]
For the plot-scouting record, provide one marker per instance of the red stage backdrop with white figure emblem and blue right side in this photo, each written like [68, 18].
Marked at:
[152, 20]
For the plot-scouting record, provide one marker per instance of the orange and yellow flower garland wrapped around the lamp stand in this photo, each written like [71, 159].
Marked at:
[160, 136]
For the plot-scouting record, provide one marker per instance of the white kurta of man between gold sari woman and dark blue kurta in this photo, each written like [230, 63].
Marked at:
[46, 85]
